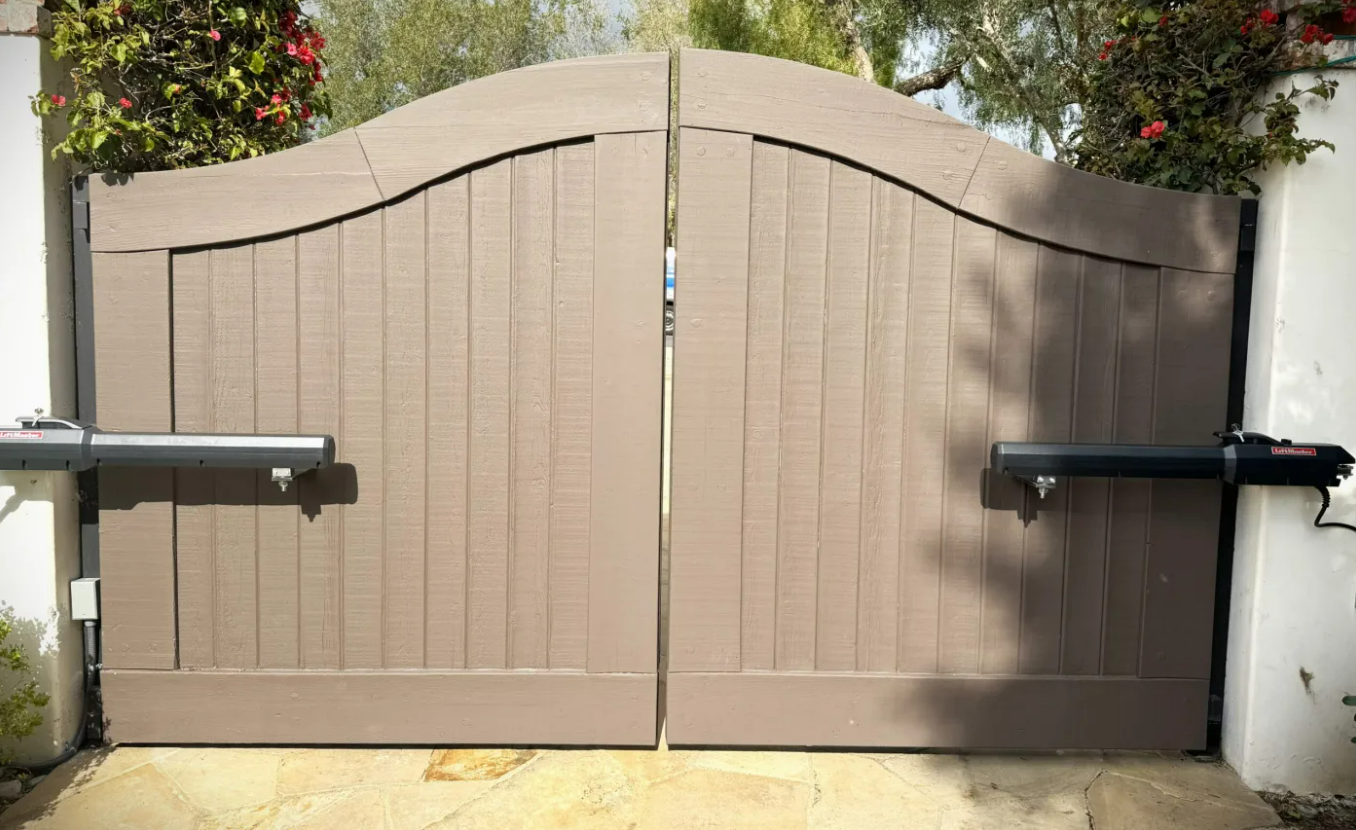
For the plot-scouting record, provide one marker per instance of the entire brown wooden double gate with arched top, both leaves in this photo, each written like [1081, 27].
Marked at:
[468, 295]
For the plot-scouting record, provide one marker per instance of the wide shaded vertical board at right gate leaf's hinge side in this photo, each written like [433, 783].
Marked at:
[1191, 397]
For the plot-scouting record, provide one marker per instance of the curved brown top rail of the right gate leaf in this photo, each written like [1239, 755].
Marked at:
[954, 163]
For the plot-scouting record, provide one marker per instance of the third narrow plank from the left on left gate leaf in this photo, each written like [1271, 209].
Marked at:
[276, 406]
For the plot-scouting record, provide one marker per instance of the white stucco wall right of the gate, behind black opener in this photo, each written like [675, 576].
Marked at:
[1294, 597]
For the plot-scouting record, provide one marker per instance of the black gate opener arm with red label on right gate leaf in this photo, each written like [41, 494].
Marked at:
[1239, 459]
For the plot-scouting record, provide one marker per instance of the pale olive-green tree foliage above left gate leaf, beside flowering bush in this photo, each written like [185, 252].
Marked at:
[386, 54]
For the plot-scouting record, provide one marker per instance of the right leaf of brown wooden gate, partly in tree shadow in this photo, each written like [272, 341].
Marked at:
[869, 295]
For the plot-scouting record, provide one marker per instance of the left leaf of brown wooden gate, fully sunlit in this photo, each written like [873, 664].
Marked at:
[468, 295]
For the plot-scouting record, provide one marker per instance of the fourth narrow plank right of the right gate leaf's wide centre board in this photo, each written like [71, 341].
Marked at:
[888, 332]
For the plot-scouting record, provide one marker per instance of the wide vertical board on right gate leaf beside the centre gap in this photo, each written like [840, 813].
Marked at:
[709, 421]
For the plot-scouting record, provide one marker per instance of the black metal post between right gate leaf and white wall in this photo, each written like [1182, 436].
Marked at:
[1229, 507]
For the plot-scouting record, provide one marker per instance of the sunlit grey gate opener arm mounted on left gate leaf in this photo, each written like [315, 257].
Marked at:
[71, 446]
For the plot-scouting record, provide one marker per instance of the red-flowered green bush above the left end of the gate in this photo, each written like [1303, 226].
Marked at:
[163, 85]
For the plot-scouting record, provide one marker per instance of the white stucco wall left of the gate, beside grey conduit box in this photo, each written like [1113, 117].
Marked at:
[39, 520]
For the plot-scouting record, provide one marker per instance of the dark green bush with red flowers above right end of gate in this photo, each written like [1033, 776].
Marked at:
[1176, 100]
